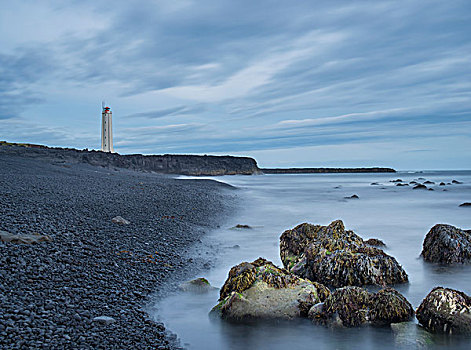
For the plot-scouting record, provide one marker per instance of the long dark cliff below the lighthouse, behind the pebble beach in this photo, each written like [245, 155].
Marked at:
[166, 164]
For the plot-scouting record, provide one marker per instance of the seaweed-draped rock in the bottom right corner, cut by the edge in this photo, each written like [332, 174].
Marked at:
[445, 310]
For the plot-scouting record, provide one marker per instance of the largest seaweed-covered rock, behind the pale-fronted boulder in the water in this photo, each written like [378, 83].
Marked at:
[336, 257]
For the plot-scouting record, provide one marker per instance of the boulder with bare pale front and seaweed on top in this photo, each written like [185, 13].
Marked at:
[261, 290]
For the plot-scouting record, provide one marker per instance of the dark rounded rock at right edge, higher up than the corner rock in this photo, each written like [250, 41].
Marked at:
[447, 244]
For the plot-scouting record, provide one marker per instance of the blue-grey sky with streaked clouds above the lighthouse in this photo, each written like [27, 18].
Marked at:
[290, 83]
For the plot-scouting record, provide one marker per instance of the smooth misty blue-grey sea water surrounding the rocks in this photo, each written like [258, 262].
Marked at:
[400, 216]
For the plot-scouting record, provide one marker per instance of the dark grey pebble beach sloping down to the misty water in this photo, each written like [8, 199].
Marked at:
[51, 291]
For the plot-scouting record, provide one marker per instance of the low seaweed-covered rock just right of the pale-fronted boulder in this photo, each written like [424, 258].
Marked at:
[355, 306]
